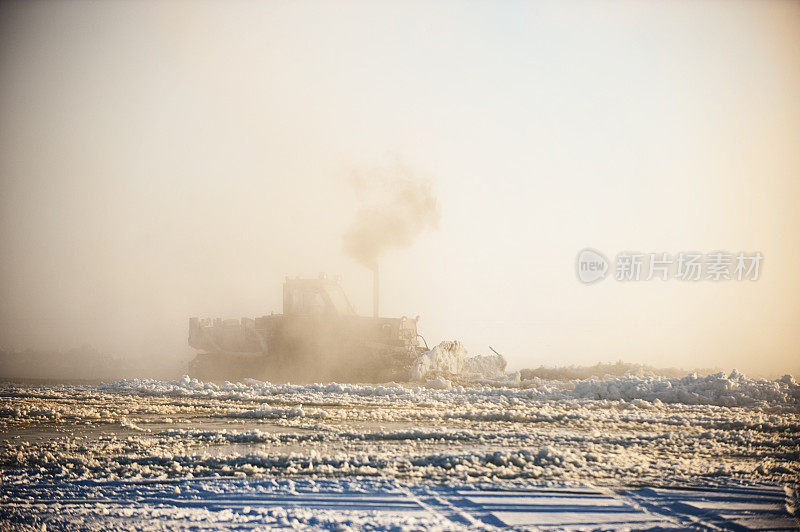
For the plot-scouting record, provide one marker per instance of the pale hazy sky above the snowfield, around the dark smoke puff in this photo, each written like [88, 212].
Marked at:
[160, 160]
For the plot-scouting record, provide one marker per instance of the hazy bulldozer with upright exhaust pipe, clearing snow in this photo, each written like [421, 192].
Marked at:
[318, 337]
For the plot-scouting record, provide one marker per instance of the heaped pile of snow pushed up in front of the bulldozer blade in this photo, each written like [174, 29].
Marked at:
[451, 358]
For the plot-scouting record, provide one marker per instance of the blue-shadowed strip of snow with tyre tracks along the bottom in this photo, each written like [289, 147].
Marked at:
[344, 504]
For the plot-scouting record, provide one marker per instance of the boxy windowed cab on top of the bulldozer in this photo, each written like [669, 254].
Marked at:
[315, 297]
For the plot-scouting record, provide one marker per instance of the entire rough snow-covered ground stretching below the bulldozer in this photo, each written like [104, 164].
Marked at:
[639, 452]
